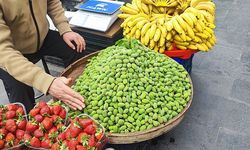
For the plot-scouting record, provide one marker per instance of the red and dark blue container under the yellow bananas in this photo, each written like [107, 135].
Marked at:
[183, 57]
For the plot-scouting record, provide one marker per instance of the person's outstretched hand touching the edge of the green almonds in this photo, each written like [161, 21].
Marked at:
[60, 89]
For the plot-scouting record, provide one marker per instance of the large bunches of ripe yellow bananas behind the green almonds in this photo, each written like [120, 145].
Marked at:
[158, 24]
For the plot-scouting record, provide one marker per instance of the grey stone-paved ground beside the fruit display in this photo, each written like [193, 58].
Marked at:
[219, 117]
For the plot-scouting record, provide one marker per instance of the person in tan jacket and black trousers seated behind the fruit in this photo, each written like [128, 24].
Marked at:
[24, 38]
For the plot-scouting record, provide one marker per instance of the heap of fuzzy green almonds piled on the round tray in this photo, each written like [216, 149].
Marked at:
[128, 87]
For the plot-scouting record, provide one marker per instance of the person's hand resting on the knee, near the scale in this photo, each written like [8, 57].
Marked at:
[69, 37]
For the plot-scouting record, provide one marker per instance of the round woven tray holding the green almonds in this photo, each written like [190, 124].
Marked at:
[75, 70]
